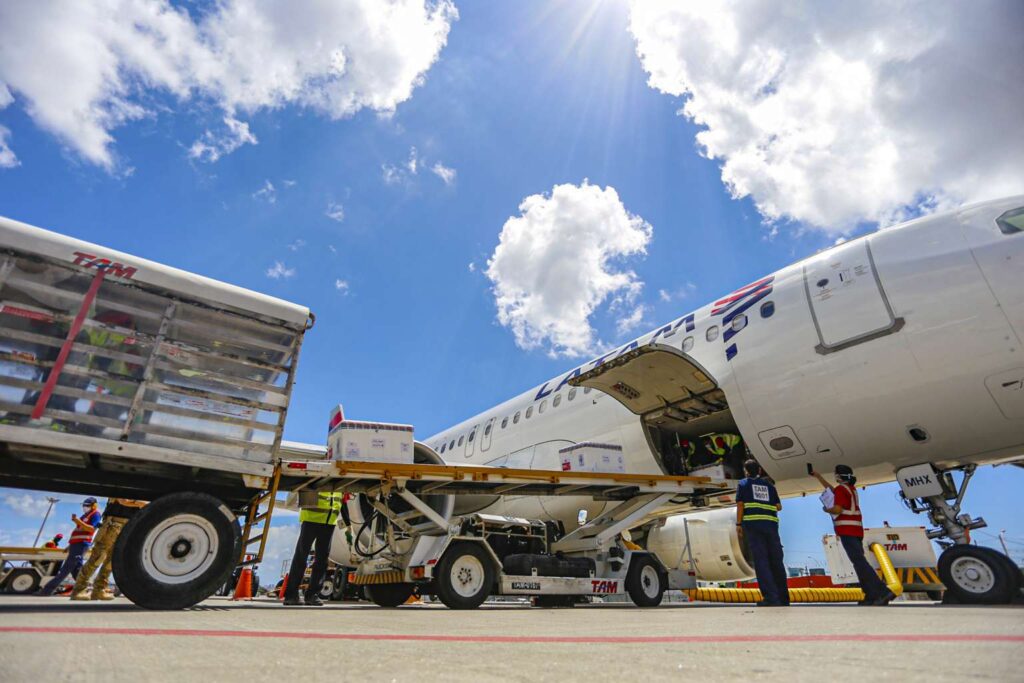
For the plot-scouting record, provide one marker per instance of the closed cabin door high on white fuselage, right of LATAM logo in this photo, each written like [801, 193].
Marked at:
[848, 304]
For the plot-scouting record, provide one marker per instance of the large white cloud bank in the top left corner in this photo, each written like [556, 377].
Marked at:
[83, 69]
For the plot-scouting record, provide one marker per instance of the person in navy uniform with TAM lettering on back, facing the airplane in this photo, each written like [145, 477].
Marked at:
[757, 517]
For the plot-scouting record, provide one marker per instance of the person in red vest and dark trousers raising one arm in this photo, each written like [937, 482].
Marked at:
[849, 526]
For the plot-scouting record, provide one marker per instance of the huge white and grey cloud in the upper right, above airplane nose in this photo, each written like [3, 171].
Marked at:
[838, 114]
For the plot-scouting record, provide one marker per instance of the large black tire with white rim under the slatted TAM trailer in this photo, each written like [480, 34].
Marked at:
[178, 551]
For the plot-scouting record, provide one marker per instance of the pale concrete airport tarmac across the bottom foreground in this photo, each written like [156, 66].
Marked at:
[54, 639]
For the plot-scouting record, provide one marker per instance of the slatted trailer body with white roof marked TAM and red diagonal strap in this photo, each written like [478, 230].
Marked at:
[101, 344]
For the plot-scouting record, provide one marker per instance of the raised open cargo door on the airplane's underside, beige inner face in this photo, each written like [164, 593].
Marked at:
[658, 381]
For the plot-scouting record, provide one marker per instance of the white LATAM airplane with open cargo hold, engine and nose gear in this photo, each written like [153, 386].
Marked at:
[899, 354]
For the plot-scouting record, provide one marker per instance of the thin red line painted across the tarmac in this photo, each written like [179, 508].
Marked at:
[838, 638]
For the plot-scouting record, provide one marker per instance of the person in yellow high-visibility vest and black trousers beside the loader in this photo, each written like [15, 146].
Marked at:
[317, 529]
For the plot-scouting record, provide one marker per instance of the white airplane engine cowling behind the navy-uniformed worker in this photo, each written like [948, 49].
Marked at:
[718, 553]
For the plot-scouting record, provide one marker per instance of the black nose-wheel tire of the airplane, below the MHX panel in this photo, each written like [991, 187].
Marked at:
[978, 576]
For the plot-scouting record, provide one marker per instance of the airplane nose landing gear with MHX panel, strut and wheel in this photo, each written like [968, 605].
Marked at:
[971, 574]
